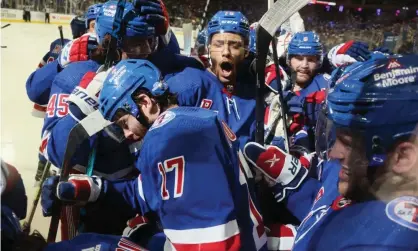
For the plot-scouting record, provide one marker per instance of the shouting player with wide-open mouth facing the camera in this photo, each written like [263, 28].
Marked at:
[217, 88]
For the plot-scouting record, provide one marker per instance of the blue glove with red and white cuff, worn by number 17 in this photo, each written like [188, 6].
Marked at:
[79, 189]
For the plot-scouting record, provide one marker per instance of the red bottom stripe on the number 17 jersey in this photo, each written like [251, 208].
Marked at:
[231, 244]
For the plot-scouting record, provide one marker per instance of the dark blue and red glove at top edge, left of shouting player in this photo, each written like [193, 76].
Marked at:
[155, 12]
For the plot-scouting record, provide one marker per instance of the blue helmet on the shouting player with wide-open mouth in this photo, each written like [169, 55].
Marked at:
[229, 22]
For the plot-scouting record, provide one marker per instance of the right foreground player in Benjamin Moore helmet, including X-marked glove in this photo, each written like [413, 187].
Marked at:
[371, 164]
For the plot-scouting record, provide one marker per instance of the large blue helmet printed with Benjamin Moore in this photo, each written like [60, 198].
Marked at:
[378, 100]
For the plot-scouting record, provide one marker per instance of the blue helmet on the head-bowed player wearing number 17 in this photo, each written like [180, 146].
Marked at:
[122, 82]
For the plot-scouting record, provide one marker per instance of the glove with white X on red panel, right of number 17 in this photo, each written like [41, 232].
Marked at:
[281, 170]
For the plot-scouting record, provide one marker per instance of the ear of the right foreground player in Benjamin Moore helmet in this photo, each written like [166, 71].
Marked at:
[405, 157]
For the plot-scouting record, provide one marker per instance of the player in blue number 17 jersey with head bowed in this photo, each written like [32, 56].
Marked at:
[197, 150]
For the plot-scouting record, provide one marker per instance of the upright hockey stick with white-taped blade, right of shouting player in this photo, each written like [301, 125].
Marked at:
[268, 25]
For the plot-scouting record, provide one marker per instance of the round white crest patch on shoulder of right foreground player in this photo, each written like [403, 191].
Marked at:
[404, 211]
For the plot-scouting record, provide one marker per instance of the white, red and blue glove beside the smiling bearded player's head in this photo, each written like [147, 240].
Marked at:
[348, 53]
